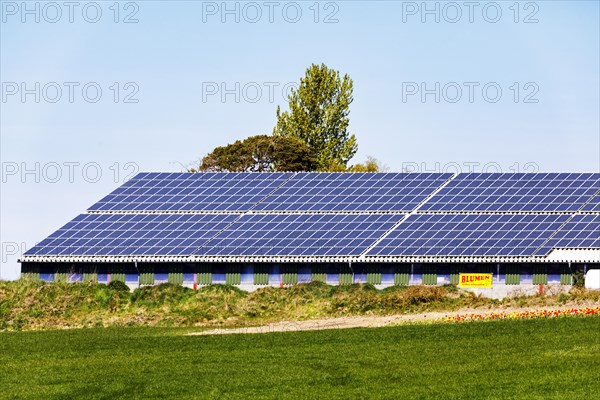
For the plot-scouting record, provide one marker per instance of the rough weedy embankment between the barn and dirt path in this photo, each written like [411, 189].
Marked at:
[28, 305]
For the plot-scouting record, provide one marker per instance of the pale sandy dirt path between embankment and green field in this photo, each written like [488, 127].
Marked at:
[367, 321]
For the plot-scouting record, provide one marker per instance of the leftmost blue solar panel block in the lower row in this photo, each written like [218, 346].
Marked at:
[132, 234]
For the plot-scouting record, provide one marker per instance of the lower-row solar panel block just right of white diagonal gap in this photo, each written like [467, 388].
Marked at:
[469, 235]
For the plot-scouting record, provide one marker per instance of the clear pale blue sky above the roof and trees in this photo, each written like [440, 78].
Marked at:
[178, 56]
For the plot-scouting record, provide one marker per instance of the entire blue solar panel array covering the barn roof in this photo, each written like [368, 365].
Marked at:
[336, 215]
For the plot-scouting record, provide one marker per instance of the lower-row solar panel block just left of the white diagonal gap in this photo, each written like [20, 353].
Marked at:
[300, 235]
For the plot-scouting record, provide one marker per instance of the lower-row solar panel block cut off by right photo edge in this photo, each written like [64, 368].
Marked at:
[582, 231]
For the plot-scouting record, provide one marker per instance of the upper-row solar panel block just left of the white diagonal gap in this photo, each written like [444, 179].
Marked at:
[351, 192]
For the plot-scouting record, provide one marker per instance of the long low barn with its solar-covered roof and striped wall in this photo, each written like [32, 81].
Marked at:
[254, 229]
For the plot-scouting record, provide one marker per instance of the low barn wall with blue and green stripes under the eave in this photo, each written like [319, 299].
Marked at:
[277, 274]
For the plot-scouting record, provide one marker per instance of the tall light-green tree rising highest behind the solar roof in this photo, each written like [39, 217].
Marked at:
[318, 116]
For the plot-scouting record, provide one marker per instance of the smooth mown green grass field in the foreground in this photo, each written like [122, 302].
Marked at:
[528, 359]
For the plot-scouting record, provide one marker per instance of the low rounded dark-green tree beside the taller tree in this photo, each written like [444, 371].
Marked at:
[261, 153]
